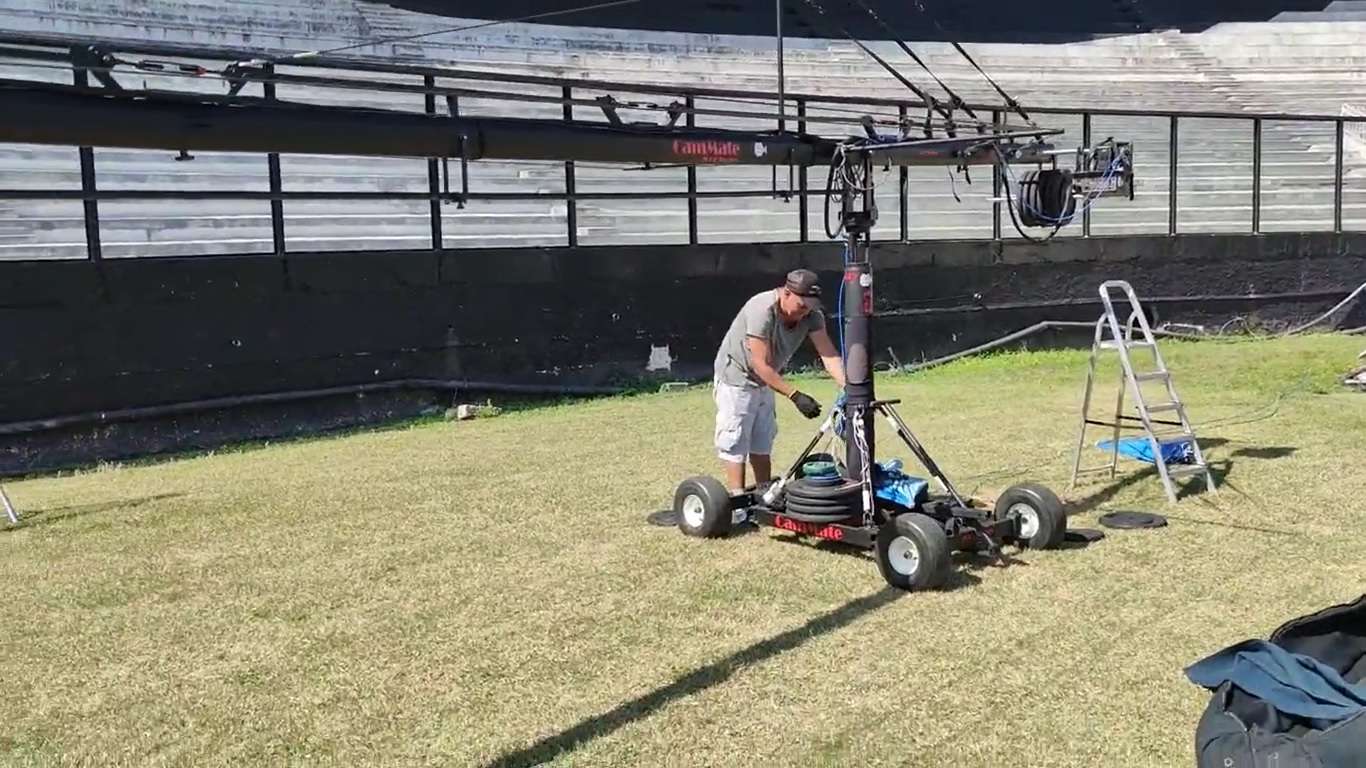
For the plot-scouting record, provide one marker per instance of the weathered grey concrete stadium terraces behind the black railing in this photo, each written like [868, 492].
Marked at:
[1305, 65]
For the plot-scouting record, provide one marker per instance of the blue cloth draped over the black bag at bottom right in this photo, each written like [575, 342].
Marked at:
[1292, 683]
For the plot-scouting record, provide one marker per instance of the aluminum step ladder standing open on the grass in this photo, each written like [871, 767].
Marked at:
[1158, 431]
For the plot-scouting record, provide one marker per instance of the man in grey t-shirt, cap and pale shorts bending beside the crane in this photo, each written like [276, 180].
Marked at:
[748, 371]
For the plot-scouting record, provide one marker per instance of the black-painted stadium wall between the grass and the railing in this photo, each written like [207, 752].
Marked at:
[88, 338]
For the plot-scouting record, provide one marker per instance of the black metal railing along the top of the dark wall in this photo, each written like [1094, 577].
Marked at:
[326, 74]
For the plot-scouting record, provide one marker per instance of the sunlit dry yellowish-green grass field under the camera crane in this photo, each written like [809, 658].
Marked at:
[488, 592]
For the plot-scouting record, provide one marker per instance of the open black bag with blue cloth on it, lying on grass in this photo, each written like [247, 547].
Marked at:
[1242, 729]
